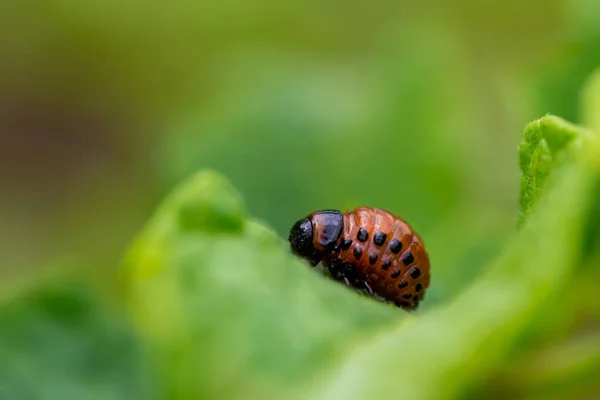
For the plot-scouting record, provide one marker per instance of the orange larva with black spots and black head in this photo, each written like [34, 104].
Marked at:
[374, 250]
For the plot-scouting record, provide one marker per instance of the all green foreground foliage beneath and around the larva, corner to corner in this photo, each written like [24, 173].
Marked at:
[223, 310]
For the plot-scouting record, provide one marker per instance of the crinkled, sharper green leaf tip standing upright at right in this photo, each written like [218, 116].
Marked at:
[546, 144]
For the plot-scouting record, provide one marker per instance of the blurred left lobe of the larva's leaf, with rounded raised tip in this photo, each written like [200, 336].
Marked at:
[229, 312]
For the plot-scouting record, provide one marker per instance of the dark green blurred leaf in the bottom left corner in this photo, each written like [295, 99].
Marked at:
[58, 342]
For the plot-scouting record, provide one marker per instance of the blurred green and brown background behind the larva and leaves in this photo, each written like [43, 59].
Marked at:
[416, 107]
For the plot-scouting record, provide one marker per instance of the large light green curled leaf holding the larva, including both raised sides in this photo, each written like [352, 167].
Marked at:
[229, 313]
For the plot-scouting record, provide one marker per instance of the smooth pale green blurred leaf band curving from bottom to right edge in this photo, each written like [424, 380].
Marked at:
[454, 348]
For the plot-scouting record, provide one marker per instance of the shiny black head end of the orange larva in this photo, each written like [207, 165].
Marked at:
[324, 226]
